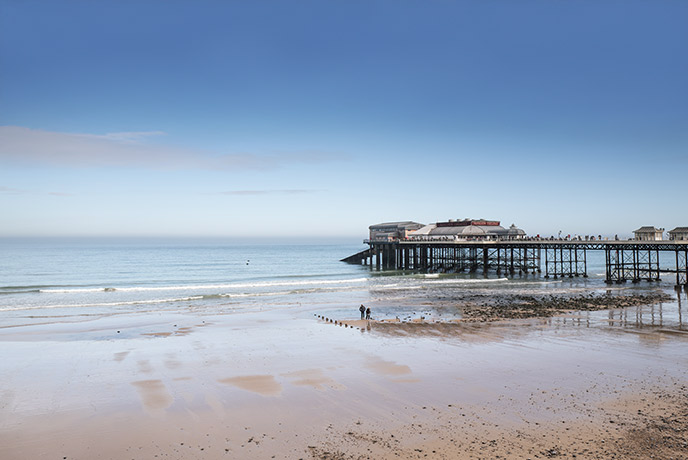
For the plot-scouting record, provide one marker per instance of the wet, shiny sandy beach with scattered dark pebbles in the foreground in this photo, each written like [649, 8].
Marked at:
[291, 384]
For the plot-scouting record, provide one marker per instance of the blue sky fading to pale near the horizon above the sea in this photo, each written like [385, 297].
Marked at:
[319, 118]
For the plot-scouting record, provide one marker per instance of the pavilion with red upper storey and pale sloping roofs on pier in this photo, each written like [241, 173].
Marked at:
[468, 229]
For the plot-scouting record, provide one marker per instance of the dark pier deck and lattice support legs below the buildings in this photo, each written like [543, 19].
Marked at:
[626, 260]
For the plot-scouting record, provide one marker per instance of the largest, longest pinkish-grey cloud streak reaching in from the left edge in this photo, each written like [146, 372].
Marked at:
[33, 147]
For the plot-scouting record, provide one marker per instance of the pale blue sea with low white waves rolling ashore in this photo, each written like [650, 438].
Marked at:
[77, 280]
